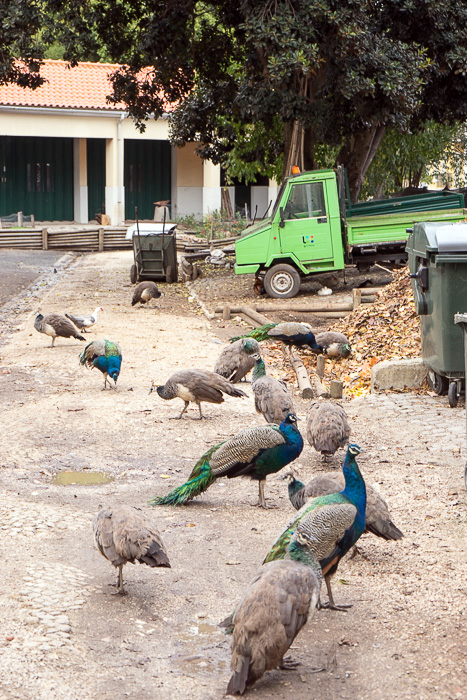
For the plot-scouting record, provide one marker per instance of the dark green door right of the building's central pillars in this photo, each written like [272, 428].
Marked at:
[147, 176]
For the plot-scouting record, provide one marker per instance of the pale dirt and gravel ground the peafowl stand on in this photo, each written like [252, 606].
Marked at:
[65, 636]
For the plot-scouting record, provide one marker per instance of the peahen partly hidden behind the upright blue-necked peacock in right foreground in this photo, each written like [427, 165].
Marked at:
[377, 516]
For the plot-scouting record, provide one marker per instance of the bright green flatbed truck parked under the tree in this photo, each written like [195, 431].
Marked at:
[314, 229]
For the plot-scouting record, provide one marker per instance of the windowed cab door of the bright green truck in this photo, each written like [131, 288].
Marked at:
[306, 231]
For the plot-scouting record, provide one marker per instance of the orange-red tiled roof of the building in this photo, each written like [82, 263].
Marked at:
[83, 87]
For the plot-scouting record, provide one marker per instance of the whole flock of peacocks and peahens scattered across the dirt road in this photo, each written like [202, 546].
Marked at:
[334, 509]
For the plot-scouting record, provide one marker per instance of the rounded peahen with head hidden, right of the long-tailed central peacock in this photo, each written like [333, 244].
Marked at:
[327, 428]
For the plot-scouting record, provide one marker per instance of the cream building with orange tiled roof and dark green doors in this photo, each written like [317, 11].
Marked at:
[66, 154]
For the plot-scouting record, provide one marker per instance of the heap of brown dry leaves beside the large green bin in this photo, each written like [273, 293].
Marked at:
[386, 329]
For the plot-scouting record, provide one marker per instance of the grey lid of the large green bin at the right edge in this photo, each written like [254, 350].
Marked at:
[438, 237]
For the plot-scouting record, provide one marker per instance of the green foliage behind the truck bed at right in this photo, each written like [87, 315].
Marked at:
[409, 159]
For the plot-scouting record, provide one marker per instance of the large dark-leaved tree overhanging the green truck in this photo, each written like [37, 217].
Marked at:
[300, 73]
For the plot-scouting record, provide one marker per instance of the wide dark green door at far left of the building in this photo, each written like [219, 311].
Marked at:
[36, 177]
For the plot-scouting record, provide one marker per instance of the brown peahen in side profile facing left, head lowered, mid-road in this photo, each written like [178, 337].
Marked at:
[196, 385]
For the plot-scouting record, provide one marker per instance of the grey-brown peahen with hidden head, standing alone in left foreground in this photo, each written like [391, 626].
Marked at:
[123, 534]
